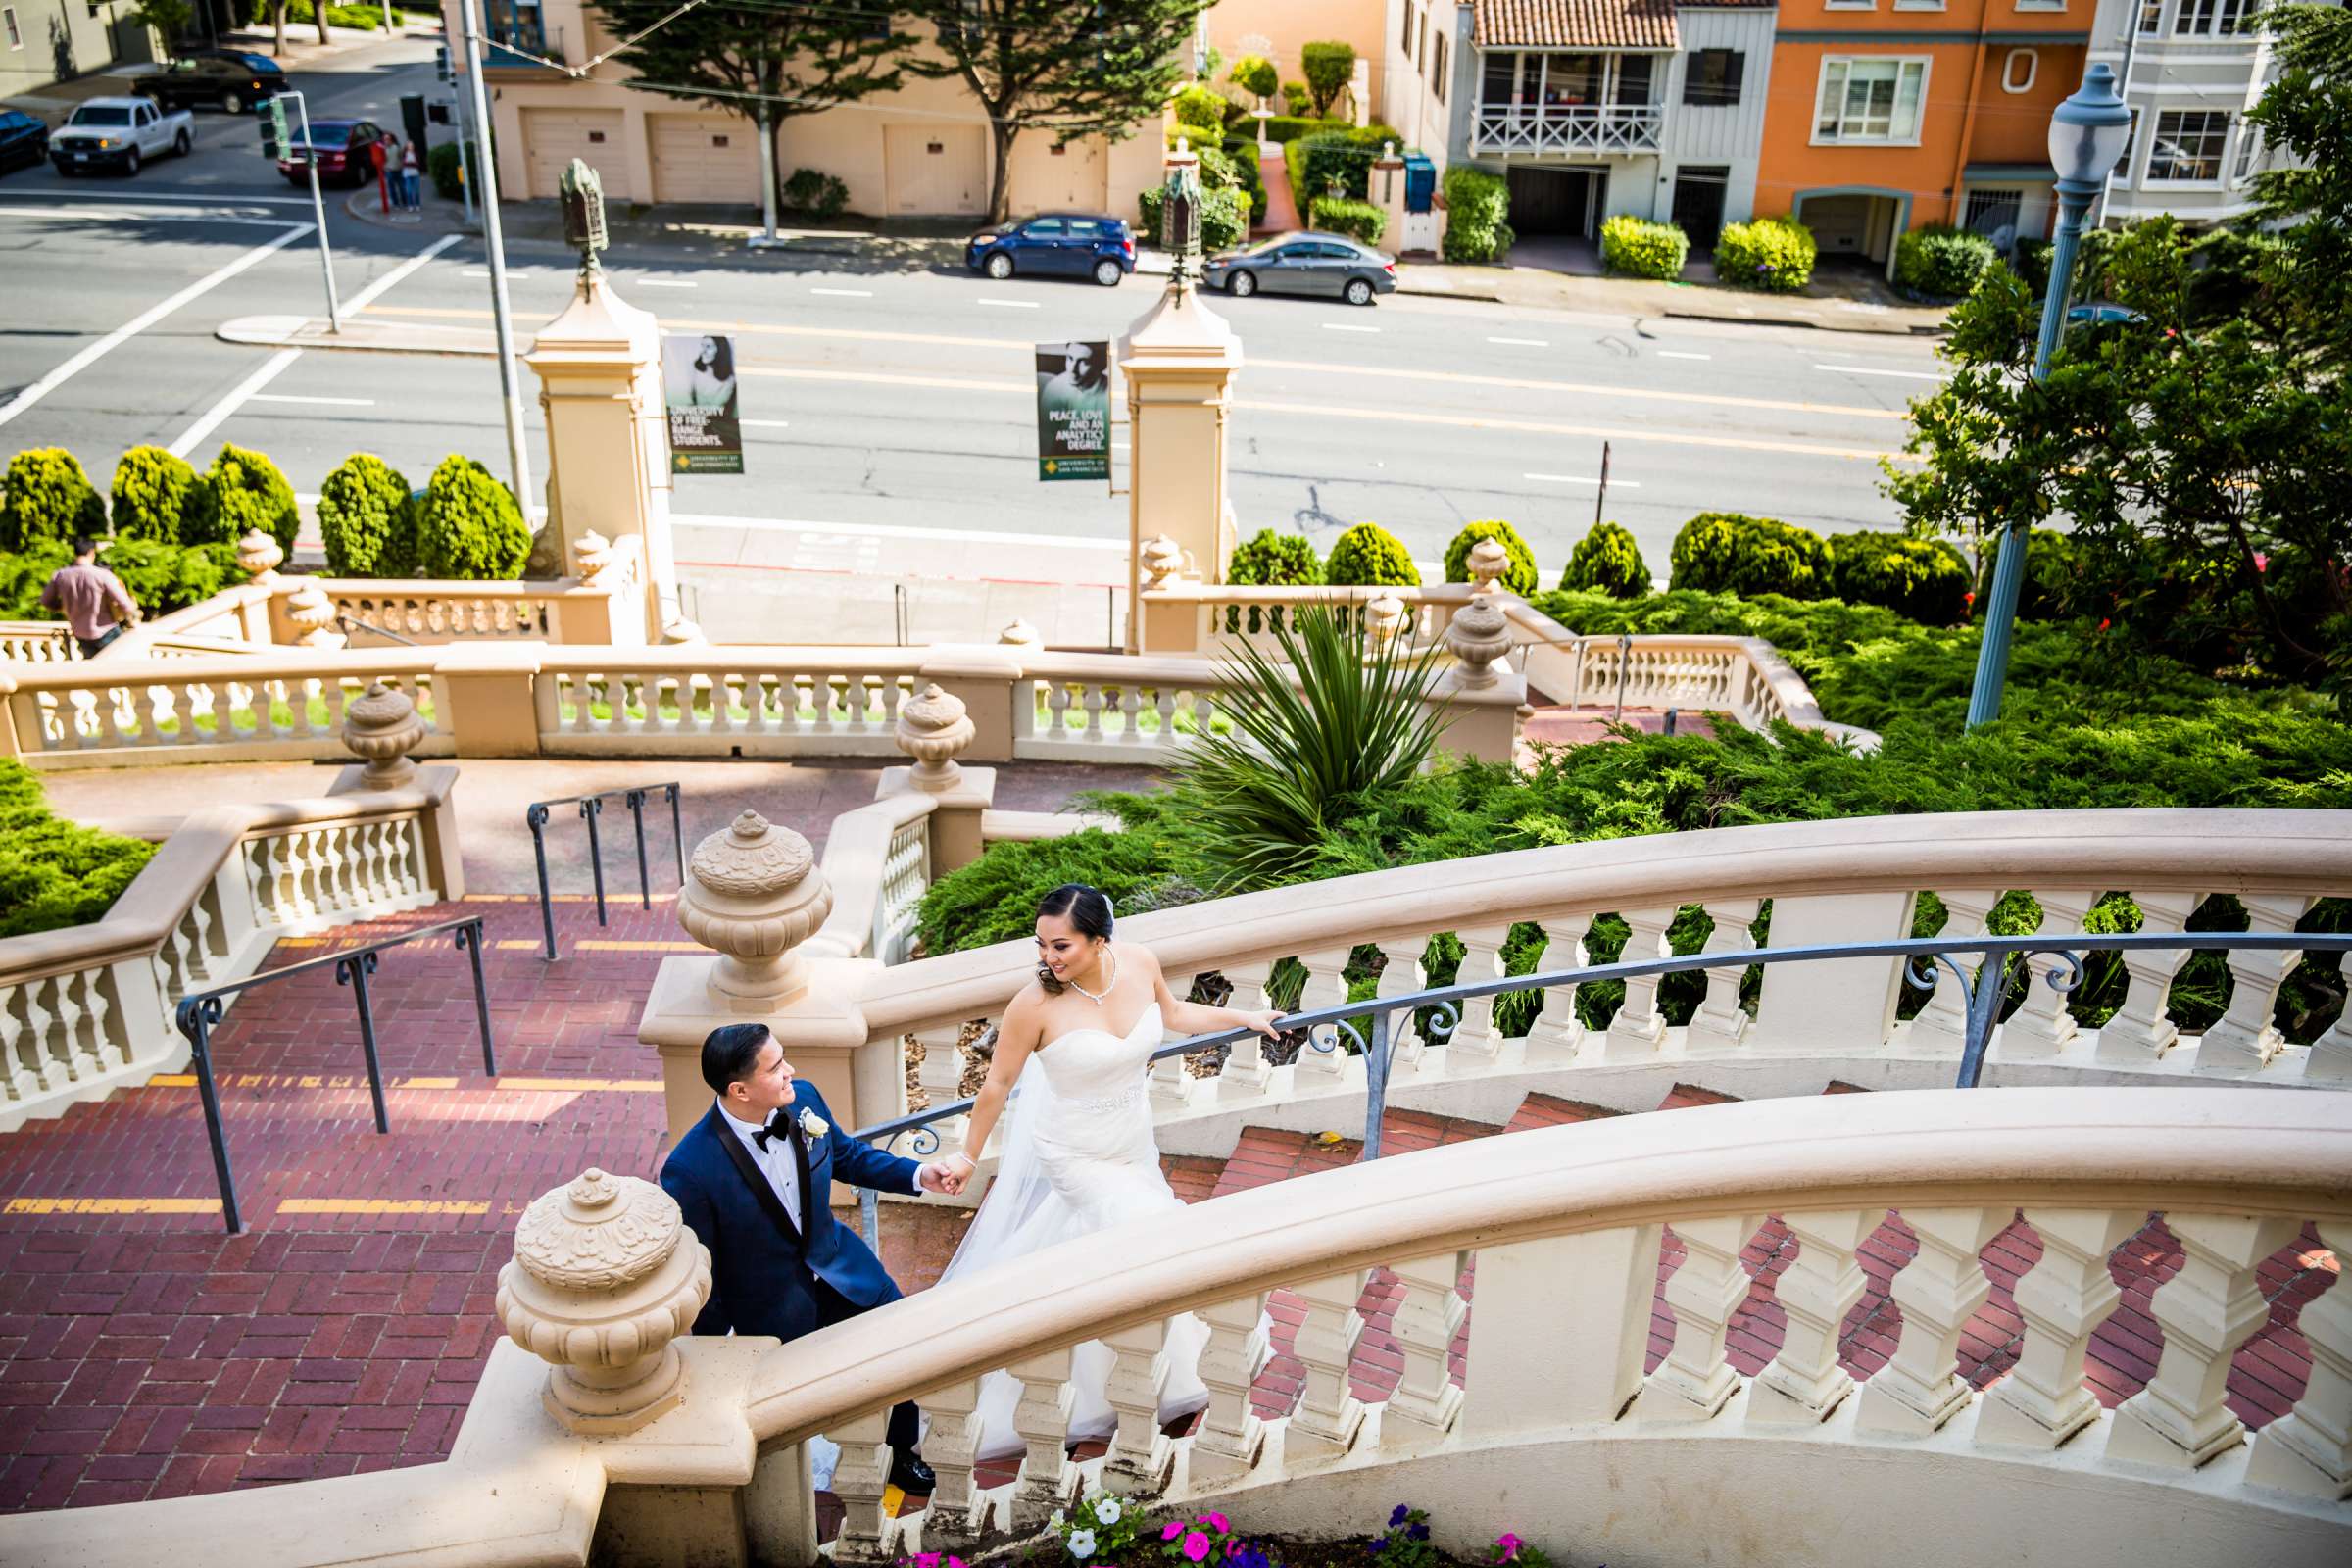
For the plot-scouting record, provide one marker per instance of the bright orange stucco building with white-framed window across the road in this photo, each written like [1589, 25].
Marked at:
[1895, 114]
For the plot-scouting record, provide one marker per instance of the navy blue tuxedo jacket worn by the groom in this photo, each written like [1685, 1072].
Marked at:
[766, 1264]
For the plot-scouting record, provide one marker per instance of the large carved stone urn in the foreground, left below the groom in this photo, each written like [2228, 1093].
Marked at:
[606, 1278]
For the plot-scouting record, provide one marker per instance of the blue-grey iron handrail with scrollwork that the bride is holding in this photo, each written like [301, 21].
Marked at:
[1927, 960]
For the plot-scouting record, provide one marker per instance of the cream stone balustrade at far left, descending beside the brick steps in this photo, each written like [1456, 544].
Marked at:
[88, 1010]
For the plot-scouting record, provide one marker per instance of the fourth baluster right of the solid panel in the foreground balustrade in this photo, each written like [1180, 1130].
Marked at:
[2064, 1301]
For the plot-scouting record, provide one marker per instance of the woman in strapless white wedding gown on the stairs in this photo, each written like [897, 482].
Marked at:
[1078, 1151]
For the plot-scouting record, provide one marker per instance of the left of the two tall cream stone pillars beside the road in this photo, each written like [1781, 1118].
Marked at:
[608, 441]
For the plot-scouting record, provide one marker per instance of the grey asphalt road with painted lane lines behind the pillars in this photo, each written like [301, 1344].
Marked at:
[900, 398]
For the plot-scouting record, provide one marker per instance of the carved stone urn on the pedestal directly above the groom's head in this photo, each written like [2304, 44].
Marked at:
[754, 894]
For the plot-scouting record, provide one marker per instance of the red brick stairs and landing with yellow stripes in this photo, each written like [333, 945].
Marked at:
[147, 1355]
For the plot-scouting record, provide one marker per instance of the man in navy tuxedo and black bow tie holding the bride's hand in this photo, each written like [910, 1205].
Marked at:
[754, 1181]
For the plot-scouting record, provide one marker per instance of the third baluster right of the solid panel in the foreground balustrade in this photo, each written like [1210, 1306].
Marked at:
[1920, 1388]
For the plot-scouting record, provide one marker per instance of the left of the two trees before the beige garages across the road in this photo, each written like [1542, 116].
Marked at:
[770, 62]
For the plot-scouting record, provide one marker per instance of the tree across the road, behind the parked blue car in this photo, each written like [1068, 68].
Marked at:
[1057, 67]
